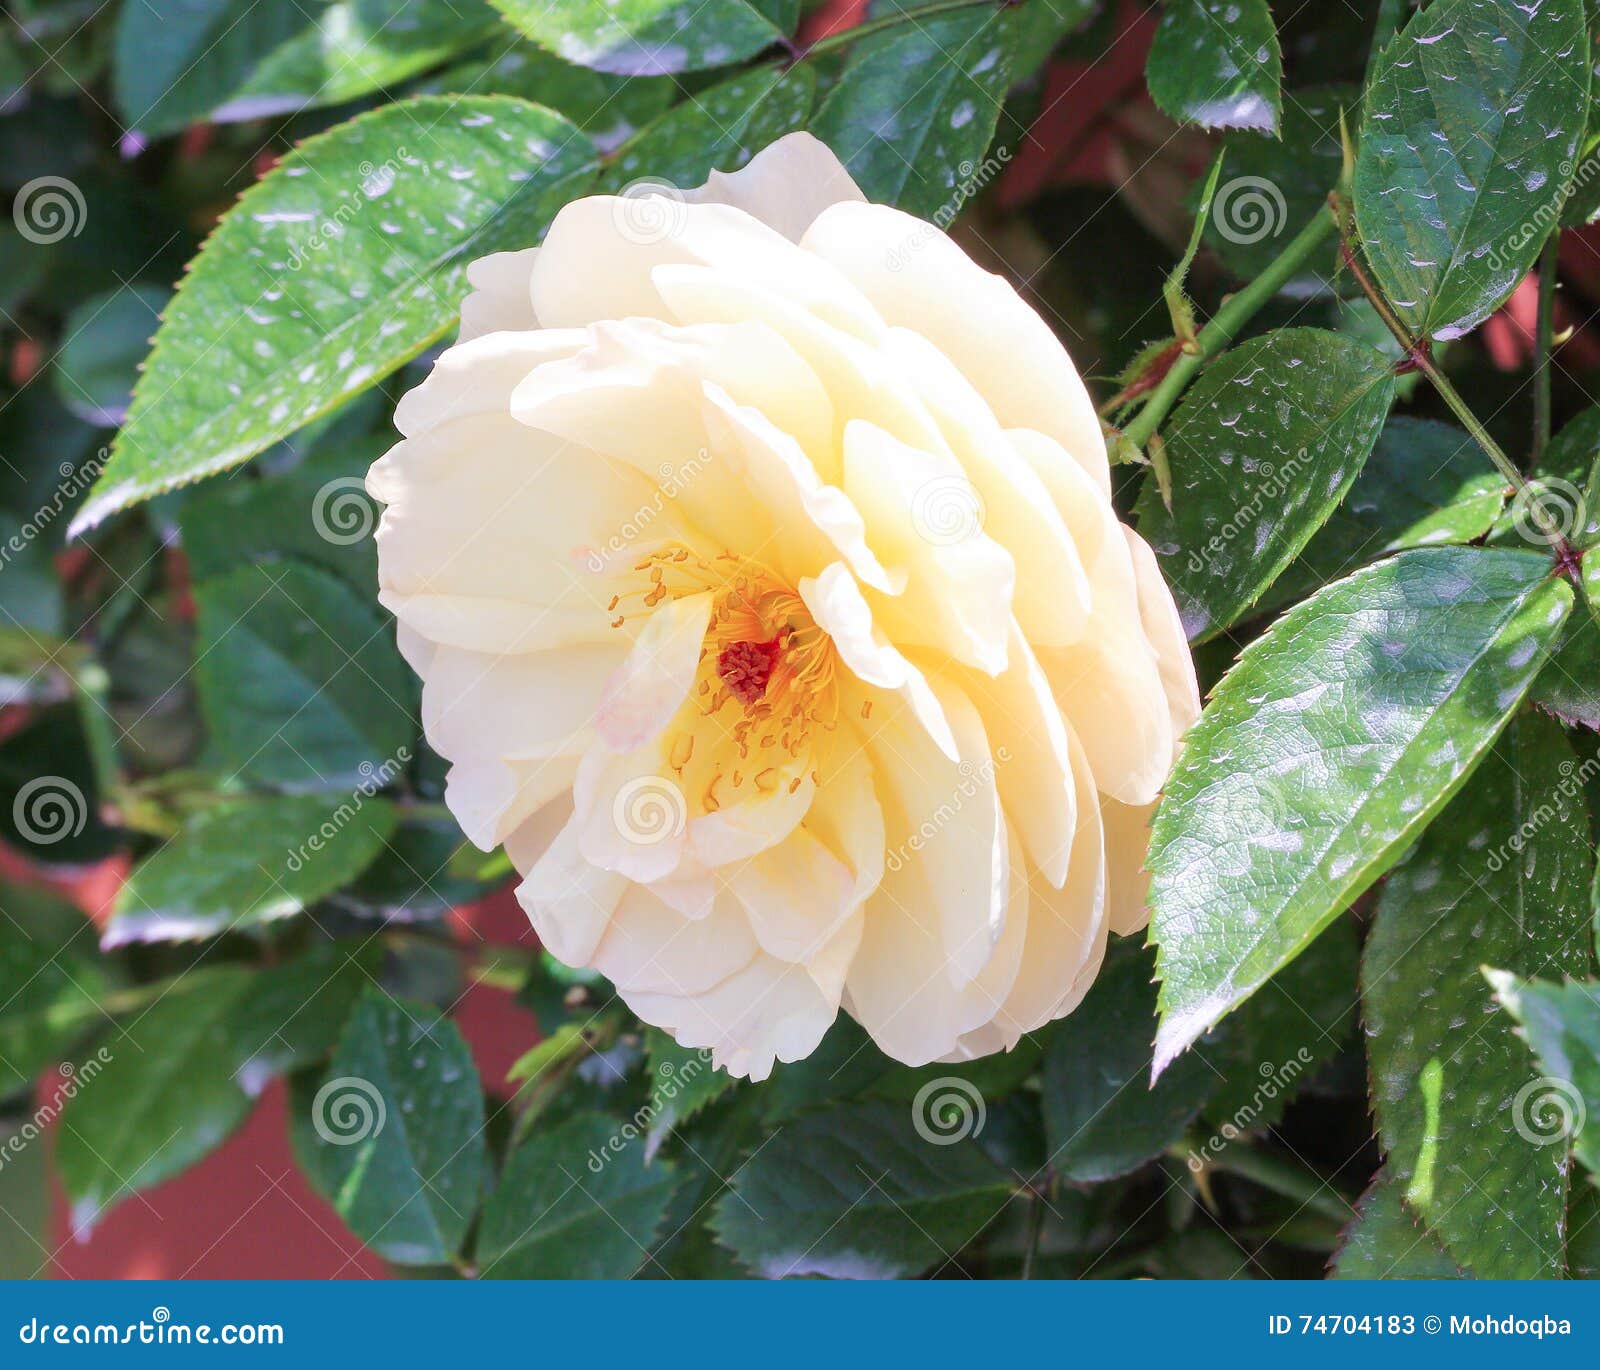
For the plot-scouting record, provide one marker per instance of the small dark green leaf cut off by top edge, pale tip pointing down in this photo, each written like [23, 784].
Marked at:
[1217, 63]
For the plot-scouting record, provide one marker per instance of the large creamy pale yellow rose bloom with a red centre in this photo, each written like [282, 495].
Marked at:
[758, 555]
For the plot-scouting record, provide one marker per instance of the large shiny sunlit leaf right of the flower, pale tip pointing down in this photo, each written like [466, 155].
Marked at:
[1332, 743]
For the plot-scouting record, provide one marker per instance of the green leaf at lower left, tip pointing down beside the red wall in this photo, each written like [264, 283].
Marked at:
[154, 1100]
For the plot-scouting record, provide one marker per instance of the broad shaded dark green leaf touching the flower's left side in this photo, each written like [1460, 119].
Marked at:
[300, 681]
